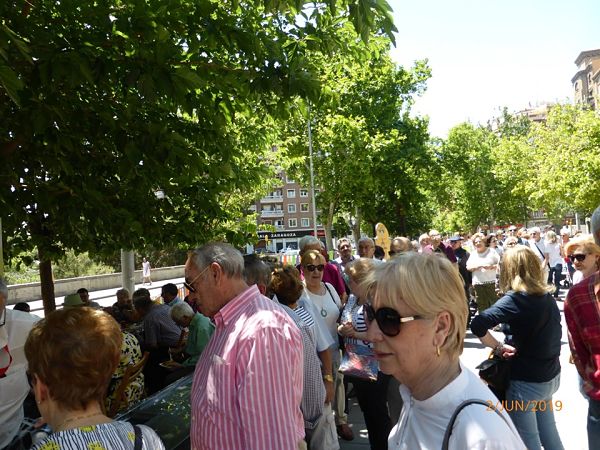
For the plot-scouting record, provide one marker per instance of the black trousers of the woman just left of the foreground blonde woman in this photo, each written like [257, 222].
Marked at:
[372, 399]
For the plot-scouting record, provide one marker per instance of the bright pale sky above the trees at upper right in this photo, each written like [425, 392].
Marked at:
[488, 54]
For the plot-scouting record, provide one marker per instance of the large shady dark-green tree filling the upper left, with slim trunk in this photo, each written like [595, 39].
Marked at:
[120, 99]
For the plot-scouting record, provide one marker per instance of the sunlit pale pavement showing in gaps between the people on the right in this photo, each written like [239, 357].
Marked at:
[571, 420]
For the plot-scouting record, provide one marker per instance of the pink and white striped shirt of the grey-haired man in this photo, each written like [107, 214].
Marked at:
[248, 381]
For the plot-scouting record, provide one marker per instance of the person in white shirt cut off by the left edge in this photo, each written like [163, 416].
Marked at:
[14, 329]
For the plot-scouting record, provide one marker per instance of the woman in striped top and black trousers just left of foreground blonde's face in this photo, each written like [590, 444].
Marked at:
[371, 395]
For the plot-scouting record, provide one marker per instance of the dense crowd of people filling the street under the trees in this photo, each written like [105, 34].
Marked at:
[274, 350]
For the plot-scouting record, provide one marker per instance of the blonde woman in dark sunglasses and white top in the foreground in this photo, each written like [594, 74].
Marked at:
[417, 324]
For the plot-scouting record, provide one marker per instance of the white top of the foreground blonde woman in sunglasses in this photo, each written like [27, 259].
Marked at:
[423, 422]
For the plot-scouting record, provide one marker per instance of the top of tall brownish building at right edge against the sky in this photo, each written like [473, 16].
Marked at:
[586, 82]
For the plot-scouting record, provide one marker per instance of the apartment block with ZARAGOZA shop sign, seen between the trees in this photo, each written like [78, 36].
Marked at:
[288, 209]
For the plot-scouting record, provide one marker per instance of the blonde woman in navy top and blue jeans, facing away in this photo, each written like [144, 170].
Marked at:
[534, 320]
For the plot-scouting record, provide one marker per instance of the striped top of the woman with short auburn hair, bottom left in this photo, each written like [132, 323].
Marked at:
[105, 436]
